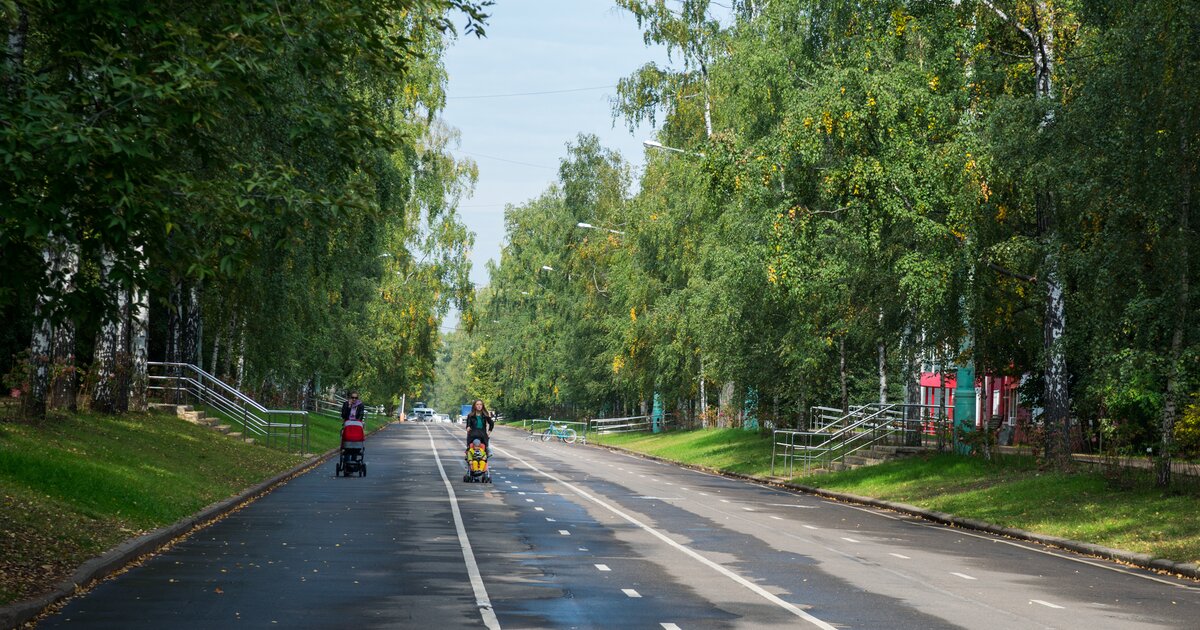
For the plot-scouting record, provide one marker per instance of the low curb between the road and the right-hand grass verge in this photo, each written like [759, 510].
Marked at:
[1142, 561]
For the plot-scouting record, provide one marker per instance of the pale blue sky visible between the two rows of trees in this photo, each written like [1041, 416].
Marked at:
[537, 46]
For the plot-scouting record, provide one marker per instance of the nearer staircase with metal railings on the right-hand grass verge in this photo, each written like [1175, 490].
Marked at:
[835, 436]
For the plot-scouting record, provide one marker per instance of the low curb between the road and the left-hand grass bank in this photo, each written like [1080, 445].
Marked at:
[122, 556]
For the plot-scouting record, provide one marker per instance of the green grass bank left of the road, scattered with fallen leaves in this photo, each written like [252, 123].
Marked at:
[76, 487]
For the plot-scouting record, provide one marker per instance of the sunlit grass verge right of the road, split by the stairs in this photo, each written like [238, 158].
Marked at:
[1010, 491]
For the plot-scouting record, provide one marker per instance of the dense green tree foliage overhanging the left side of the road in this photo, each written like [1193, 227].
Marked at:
[267, 154]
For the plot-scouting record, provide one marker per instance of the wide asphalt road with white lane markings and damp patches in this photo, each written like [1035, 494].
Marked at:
[577, 537]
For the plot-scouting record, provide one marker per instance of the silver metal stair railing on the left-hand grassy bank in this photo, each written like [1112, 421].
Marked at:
[188, 385]
